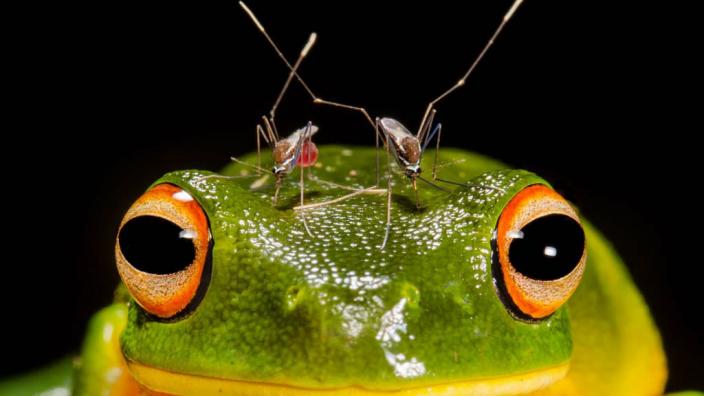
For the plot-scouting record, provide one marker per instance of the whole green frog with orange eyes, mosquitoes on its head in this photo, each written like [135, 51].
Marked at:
[495, 286]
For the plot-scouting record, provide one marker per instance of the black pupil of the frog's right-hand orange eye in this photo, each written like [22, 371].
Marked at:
[550, 247]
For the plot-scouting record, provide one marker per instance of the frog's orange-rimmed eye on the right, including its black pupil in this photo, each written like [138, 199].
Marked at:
[549, 251]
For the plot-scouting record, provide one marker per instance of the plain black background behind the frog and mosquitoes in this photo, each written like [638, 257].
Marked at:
[598, 97]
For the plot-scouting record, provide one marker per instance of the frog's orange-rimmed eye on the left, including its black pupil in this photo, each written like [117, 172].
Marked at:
[162, 250]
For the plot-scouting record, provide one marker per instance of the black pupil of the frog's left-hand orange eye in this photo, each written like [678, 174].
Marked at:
[154, 245]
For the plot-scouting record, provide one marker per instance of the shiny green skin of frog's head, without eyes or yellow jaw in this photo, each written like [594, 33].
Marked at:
[333, 309]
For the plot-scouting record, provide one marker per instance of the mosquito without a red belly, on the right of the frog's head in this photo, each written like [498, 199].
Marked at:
[406, 147]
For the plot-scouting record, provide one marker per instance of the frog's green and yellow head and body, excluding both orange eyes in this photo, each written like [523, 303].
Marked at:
[282, 313]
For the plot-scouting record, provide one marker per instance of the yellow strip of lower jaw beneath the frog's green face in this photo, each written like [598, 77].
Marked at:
[184, 384]
